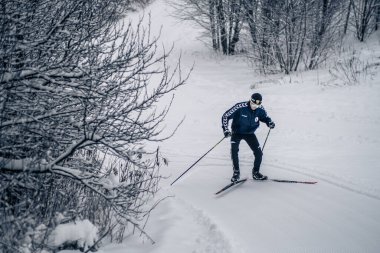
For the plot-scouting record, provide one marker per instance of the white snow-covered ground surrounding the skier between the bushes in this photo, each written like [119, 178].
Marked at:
[325, 131]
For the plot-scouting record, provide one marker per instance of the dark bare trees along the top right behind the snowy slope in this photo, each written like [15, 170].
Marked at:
[283, 34]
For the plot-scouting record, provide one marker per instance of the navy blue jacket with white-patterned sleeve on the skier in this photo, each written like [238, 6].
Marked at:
[244, 119]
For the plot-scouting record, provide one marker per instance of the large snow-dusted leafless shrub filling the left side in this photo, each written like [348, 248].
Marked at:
[77, 105]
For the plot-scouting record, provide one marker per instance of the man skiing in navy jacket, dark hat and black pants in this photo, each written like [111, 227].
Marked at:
[246, 117]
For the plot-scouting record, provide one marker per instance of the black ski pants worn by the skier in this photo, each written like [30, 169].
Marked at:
[253, 143]
